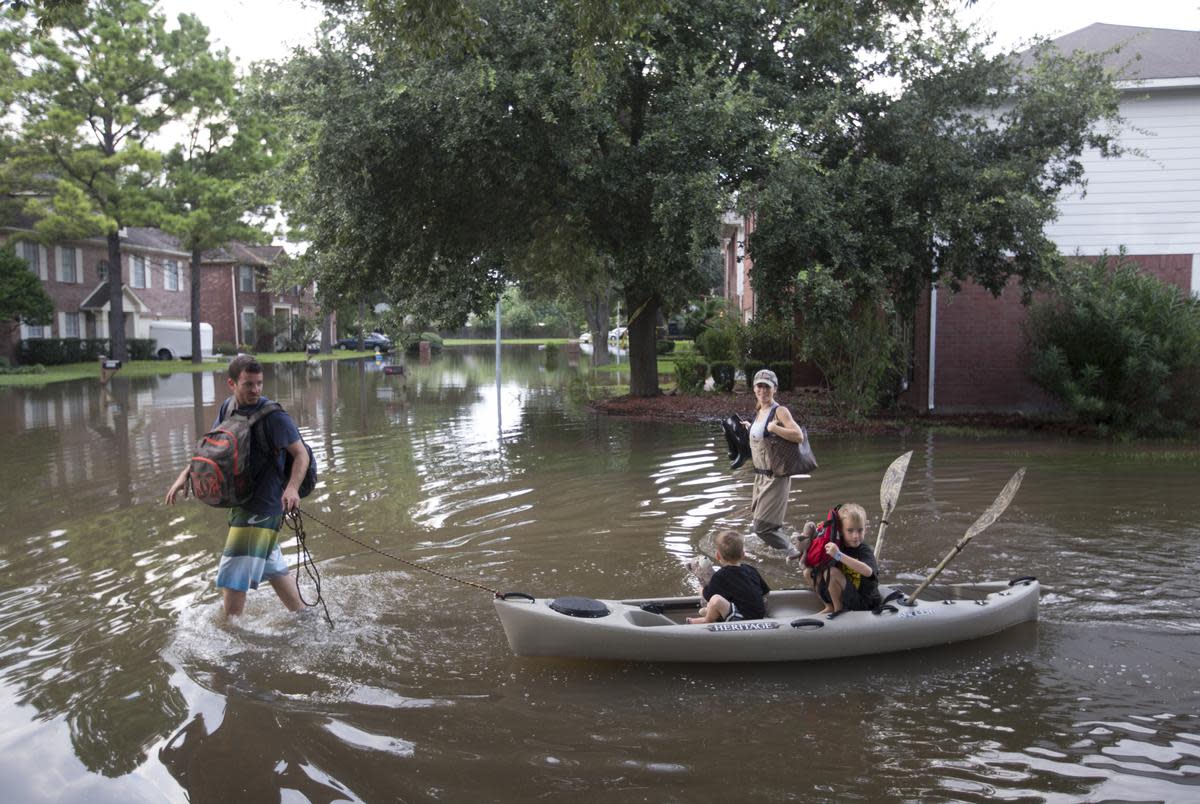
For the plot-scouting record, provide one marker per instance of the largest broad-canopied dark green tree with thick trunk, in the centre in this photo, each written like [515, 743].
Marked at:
[433, 176]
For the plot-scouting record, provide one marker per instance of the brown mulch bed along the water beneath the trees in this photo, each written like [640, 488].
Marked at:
[812, 409]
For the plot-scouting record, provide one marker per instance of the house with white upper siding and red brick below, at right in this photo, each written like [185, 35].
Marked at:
[970, 346]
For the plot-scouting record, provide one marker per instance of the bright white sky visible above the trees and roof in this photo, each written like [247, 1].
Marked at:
[269, 29]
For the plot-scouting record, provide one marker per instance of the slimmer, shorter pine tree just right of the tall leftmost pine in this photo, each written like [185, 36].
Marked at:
[217, 176]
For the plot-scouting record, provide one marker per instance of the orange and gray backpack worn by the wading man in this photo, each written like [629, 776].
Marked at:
[230, 460]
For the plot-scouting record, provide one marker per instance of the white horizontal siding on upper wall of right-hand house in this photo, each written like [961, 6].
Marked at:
[1149, 201]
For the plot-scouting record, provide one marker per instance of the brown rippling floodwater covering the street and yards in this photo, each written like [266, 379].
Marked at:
[121, 682]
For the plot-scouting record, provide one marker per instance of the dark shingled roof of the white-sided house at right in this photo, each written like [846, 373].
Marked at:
[1143, 53]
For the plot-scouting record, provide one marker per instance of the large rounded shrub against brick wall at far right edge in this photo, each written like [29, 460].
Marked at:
[1119, 349]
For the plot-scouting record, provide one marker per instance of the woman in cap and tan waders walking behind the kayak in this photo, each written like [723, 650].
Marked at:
[769, 503]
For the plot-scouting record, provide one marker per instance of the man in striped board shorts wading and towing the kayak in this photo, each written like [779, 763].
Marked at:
[253, 548]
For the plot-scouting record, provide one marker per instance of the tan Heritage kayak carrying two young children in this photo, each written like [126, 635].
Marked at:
[655, 631]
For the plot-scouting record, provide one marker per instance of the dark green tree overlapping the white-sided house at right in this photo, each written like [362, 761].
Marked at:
[950, 177]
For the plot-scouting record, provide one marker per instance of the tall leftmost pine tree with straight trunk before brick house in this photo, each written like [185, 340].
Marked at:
[92, 95]
